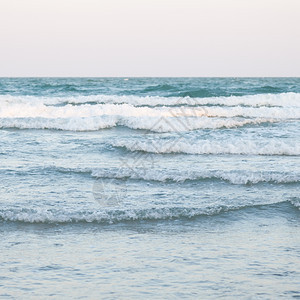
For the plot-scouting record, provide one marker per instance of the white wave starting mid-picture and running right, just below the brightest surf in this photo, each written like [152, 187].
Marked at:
[234, 147]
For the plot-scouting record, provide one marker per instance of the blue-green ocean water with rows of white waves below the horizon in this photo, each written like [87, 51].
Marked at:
[161, 188]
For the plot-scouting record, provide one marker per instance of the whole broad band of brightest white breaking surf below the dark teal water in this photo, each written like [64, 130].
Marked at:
[45, 113]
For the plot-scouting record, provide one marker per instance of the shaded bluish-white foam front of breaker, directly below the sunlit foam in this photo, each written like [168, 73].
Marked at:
[155, 124]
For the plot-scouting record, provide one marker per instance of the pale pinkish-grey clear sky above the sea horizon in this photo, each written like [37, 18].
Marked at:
[149, 38]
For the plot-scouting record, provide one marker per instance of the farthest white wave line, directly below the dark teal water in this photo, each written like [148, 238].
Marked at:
[280, 100]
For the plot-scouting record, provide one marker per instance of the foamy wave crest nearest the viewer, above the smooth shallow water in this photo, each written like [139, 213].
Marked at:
[111, 216]
